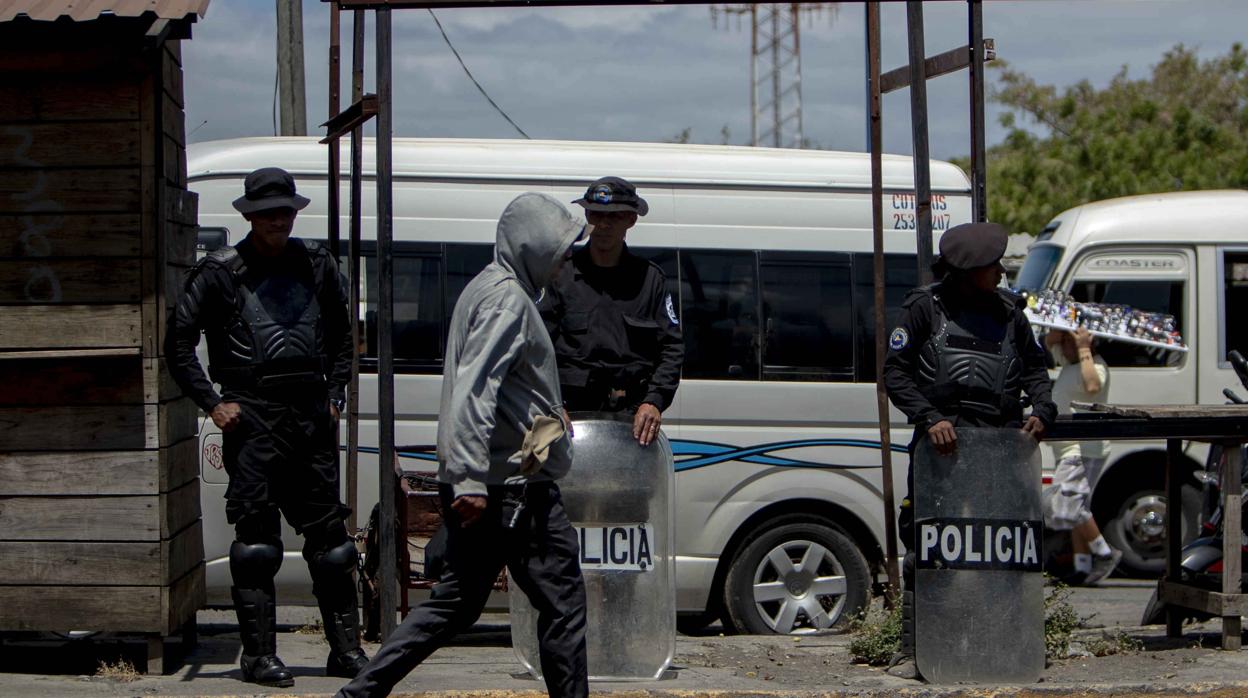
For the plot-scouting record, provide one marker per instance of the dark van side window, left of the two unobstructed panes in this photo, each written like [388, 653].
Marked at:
[721, 309]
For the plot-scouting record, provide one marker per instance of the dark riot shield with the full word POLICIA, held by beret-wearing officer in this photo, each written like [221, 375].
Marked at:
[979, 586]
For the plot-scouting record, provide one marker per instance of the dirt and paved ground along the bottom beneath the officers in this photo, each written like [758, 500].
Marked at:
[707, 665]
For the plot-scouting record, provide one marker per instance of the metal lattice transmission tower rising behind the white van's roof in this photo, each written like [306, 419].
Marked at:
[776, 67]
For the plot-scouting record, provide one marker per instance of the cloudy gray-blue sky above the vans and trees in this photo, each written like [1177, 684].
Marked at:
[646, 74]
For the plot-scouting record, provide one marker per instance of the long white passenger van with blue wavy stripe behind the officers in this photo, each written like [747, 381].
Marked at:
[769, 254]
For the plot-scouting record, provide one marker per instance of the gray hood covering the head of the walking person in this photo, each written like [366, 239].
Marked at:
[535, 233]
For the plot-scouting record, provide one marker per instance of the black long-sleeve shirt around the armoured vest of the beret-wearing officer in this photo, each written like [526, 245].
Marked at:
[914, 329]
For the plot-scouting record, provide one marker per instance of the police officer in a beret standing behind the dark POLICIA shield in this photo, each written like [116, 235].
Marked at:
[962, 356]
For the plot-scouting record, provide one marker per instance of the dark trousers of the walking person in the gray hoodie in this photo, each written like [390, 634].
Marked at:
[541, 553]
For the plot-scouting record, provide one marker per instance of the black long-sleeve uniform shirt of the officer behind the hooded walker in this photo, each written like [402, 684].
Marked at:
[615, 327]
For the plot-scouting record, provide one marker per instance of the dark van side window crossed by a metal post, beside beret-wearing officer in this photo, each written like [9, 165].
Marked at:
[900, 277]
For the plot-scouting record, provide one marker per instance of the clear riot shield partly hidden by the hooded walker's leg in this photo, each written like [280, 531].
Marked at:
[620, 498]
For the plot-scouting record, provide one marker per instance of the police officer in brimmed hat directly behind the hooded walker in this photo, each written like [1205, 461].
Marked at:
[615, 325]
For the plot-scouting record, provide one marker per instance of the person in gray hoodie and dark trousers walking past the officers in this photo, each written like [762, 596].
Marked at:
[504, 441]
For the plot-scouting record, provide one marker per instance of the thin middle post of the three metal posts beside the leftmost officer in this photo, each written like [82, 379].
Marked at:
[358, 139]
